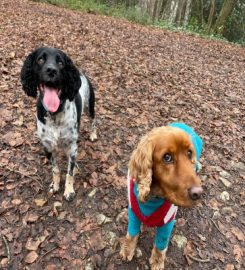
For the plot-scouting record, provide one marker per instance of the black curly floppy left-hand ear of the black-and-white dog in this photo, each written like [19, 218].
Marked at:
[28, 76]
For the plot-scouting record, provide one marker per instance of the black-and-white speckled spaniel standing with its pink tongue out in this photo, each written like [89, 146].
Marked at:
[63, 95]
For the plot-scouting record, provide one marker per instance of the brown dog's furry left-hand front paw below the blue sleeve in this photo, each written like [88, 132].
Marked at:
[128, 247]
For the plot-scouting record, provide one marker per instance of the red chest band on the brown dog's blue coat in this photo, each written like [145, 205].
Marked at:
[156, 219]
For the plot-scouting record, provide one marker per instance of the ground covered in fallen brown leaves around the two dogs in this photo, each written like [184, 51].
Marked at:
[144, 77]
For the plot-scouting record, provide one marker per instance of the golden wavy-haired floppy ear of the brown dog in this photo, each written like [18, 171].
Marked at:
[140, 167]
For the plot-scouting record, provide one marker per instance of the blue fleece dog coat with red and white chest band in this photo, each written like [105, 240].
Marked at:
[143, 212]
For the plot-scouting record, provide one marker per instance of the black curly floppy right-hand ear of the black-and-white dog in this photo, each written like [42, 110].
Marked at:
[72, 78]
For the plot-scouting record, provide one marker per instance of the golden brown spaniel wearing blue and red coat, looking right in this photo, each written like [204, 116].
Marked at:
[163, 165]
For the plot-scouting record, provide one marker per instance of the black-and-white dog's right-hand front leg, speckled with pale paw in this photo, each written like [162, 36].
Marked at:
[69, 193]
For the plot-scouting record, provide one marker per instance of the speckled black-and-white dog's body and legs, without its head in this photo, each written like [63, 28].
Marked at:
[60, 131]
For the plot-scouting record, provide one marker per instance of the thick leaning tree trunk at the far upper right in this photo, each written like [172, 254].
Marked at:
[226, 10]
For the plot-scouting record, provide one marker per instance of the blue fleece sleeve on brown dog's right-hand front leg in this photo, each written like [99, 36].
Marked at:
[163, 235]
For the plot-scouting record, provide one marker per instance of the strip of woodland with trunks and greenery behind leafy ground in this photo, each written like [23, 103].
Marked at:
[220, 18]
